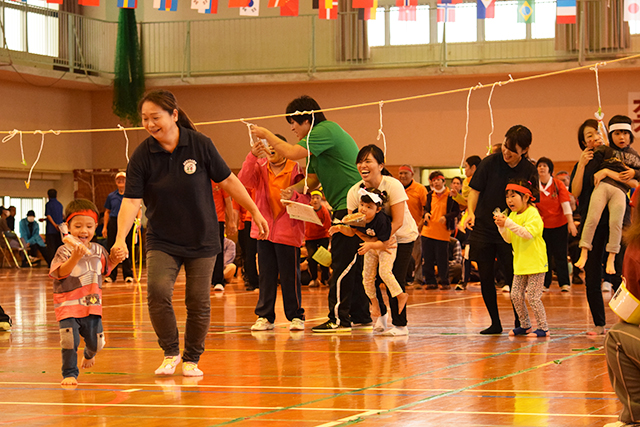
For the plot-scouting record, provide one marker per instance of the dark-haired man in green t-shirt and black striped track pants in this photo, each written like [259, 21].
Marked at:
[332, 163]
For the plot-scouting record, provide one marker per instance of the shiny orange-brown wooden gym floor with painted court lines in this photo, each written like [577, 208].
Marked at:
[442, 374]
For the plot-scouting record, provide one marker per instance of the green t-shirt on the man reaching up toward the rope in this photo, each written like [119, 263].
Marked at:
[333, 159]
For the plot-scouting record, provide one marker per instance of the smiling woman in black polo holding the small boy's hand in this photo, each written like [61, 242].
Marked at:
[172, 172]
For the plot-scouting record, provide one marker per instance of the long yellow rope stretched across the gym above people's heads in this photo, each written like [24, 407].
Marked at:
[347, 107]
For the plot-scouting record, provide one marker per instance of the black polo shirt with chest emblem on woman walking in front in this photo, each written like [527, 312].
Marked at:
[176, 189]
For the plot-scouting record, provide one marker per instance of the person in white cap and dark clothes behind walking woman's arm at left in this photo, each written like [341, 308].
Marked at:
[110, 228]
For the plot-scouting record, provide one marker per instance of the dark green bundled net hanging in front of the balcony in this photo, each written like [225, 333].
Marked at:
[128, 85]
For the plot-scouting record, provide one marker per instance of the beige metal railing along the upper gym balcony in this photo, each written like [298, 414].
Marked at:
[307, 44]
